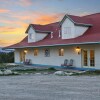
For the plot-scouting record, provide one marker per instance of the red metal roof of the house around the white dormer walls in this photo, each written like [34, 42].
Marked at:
[90, 36]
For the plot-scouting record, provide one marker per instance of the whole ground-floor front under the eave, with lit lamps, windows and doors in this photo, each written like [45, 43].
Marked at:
[84, 56]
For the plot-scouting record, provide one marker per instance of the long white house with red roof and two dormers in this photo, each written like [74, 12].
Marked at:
[73, 37]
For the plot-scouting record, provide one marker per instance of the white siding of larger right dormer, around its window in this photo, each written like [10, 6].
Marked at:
[75, 30]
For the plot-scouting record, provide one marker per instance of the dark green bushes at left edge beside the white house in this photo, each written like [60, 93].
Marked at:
[7, 57]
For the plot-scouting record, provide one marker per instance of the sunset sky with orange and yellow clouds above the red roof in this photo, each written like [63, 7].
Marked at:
[16, 15]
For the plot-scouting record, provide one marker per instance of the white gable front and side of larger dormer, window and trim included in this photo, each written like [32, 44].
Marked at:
[71, 29]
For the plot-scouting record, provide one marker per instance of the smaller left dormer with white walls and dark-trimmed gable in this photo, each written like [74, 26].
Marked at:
[35, 35]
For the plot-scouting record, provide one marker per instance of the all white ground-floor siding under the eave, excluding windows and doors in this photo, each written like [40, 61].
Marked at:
[55, 59]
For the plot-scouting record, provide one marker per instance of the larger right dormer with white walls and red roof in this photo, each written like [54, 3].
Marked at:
[73, 26]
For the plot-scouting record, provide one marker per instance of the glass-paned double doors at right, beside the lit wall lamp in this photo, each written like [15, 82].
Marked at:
[88, 58]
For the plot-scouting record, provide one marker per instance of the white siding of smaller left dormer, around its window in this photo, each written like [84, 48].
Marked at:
[36, 36]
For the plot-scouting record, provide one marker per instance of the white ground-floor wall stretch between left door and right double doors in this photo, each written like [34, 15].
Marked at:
[54, 59]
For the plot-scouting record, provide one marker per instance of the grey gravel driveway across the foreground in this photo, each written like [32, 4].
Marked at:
[49, 87]
